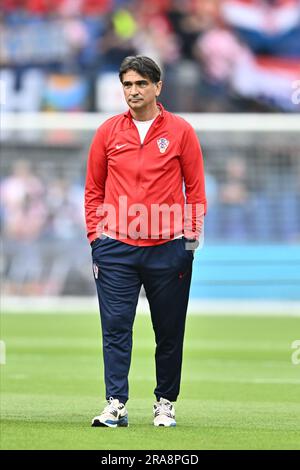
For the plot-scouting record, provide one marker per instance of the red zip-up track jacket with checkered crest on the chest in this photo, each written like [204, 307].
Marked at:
[126, 180]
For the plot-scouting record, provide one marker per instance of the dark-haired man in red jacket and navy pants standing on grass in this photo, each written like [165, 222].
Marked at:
[137, 163]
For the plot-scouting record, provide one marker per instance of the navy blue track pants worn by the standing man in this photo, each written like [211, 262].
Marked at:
[165, 272]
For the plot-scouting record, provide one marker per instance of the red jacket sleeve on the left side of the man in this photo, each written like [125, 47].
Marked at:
[95, 183]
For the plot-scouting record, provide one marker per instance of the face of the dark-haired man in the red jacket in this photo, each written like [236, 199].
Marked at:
[139, 91]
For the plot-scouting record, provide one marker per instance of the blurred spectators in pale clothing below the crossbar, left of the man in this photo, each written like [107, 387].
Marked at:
[35, 207]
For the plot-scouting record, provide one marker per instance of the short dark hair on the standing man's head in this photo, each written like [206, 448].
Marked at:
[143, 65]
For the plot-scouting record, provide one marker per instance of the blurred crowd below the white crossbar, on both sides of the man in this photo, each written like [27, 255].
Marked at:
[244, 205]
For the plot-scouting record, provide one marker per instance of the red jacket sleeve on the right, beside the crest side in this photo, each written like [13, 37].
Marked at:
[193, 173]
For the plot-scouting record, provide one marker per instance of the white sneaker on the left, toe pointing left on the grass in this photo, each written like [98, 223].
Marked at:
[114, 415]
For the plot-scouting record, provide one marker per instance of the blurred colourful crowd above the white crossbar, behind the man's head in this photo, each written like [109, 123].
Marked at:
[216, 55]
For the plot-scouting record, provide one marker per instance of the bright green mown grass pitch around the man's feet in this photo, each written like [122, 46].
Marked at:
[240, 389]
